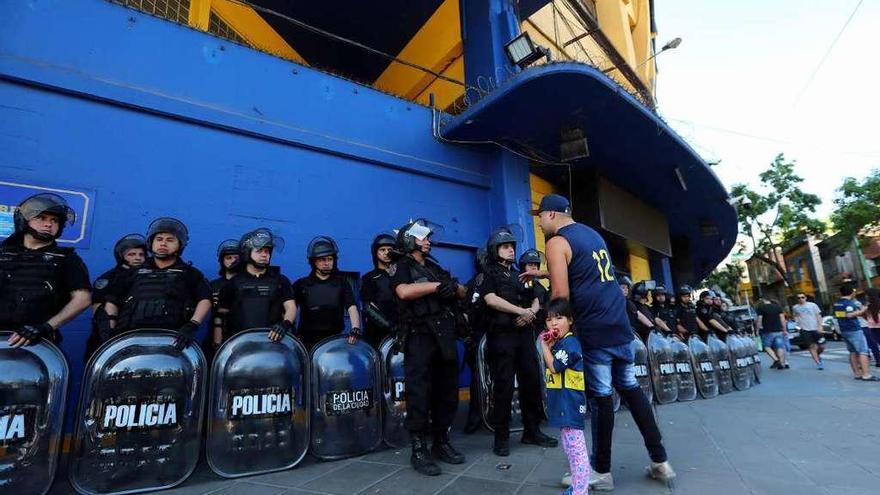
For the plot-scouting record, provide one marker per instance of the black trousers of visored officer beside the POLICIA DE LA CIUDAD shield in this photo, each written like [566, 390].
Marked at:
[431, 383]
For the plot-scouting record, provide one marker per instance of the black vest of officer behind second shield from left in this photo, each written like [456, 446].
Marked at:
[157, 299]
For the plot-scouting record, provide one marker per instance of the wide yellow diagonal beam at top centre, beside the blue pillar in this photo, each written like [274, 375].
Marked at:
[436, 45]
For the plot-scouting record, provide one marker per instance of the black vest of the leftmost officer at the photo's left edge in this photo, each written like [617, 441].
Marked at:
[29, 284]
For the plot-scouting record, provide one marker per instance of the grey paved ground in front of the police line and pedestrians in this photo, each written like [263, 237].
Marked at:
[801, 431]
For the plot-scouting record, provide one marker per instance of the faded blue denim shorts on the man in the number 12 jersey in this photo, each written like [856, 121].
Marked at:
[609, 366]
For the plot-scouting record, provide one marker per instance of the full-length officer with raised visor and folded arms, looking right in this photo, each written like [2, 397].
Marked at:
[428, 298]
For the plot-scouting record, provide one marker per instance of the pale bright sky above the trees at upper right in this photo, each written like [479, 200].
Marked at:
[739, 87]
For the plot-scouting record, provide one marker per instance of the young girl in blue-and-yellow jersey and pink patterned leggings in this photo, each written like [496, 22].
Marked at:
[566, 399]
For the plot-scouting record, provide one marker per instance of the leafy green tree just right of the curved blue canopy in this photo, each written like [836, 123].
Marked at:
[777, 213]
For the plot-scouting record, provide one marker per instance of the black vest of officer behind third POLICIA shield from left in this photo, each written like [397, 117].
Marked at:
[257, 304]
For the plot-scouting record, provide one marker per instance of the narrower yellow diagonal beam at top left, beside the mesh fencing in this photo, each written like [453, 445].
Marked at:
[253, 29]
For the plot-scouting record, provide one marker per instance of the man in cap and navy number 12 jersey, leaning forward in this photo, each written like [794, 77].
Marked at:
[580, 270]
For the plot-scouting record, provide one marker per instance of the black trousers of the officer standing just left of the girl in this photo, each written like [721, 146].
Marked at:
[512, 353]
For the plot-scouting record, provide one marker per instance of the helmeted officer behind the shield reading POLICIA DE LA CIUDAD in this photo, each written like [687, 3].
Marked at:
[324, 295]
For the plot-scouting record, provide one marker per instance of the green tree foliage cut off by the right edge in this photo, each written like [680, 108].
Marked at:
[858, 205]
